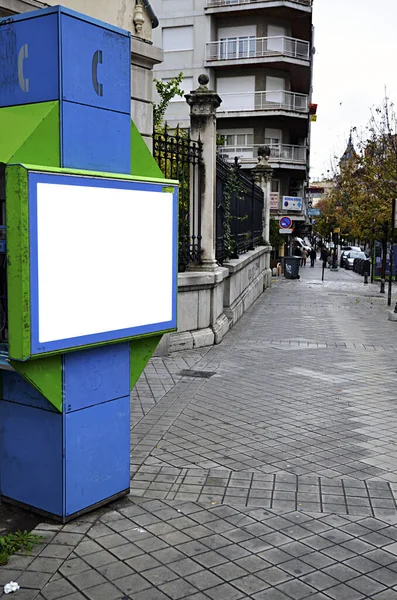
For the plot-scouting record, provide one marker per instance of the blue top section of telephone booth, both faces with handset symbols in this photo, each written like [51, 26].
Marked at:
[58, 54]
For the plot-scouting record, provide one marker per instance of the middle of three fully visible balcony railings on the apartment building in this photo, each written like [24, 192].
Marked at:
[262, 101]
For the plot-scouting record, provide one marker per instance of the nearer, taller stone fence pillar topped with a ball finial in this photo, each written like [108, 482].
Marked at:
[203, 103]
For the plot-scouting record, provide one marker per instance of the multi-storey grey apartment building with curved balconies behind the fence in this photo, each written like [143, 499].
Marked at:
[258, 56]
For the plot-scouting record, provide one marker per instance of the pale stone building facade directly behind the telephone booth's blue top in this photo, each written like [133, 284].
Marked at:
[136, 16]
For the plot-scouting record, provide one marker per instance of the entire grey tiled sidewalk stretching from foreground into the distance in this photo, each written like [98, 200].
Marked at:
[264, 468]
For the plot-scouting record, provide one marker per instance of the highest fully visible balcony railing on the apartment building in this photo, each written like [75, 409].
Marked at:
[251, 47]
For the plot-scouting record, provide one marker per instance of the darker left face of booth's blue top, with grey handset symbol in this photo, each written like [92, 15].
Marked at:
[29, 66]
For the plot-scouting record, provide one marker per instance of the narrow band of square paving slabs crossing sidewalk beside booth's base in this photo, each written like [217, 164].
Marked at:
[280, 490]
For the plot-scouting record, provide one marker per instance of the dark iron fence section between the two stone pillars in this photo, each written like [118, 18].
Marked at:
[239, 212]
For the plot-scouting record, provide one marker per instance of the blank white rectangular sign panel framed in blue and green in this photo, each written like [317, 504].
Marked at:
[104, 259]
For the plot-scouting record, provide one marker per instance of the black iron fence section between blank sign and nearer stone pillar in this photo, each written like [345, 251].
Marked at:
[179, 157]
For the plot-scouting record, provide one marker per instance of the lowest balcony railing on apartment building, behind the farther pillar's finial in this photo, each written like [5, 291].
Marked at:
[285, 153]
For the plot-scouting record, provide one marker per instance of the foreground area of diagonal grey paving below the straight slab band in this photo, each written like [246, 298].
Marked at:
[152, 549]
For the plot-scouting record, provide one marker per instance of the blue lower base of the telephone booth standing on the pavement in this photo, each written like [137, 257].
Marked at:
[62, 464]
